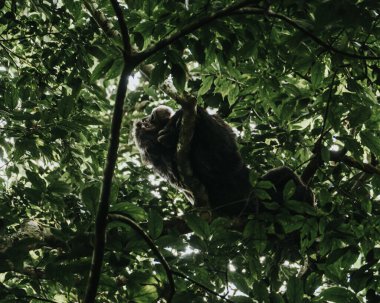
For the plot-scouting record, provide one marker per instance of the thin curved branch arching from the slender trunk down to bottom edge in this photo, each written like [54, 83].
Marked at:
[152, 246]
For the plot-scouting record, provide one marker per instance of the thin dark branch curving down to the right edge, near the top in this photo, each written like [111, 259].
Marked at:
[269, 13]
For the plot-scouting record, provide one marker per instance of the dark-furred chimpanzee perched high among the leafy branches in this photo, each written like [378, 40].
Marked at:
[214, 157]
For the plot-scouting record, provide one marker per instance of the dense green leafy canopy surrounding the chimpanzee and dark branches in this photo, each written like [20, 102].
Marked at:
[302, 72]
